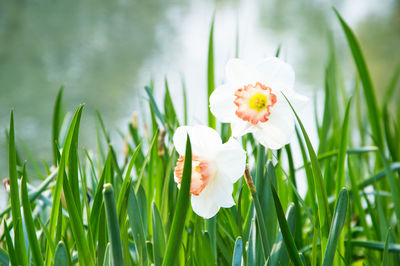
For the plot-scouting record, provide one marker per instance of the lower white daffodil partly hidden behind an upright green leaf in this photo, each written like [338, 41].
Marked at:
[215, 168]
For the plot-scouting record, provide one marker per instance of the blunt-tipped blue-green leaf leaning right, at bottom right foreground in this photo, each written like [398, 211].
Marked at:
[339, 218]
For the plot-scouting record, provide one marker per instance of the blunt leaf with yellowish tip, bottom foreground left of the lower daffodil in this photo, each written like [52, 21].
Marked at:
[113, 227]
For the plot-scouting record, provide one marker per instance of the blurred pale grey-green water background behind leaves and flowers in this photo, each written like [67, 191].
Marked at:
[105, 52]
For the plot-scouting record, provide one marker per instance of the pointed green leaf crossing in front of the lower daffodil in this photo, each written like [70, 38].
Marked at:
[182, 205]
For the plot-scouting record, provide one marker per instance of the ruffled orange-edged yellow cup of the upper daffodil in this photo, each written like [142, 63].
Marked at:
[254, 103]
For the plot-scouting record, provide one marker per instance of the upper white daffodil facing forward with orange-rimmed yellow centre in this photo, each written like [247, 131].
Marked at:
[252, 100]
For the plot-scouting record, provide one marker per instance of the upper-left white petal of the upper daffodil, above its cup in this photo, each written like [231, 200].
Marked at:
[239, 73]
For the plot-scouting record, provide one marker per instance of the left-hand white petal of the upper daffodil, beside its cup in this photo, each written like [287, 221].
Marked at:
[221, 103]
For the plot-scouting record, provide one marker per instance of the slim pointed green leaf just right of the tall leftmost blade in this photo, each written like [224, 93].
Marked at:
[30, 226]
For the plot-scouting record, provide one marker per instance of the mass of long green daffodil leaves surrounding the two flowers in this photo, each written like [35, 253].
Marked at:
[125, 209]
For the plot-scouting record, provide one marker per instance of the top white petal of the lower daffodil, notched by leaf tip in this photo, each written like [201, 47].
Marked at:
[204, 140]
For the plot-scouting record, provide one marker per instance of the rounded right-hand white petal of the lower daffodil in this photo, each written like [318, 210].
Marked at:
[231, 160]
